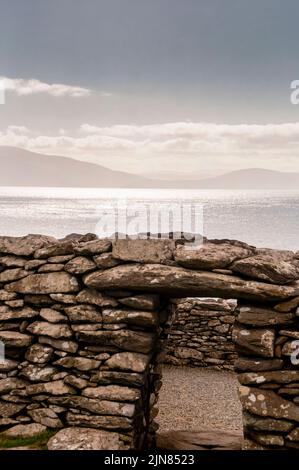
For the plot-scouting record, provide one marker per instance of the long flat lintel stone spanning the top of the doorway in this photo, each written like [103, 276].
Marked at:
[178, 282]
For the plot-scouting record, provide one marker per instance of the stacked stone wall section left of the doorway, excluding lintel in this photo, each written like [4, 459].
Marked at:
[75, 356]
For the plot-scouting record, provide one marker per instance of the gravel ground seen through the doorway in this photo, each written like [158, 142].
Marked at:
[193, 398]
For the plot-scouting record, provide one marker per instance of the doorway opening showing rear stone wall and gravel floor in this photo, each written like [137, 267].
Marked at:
[198, 401]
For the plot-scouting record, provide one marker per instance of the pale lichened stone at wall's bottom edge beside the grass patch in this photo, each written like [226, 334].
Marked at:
[85, 439]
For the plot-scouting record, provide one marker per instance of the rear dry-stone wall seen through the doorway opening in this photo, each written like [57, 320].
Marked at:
[201, 333]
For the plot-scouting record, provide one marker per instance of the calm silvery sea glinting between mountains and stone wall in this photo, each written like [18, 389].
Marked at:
[261, 218]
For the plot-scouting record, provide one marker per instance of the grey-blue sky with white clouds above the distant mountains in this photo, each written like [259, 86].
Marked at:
[168, 88]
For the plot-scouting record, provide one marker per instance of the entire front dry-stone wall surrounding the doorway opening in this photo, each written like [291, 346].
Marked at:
[84, 324]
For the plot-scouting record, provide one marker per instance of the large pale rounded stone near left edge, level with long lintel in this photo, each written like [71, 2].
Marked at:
[44, 284]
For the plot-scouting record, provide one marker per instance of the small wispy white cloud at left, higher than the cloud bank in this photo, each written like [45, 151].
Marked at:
[32, 86]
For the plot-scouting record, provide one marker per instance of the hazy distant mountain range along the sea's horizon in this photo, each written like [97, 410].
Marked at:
[21, 167]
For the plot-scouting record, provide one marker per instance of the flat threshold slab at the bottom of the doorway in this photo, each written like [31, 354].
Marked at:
[200, 440]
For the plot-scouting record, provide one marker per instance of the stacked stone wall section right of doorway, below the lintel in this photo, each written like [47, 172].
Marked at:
[267, 340]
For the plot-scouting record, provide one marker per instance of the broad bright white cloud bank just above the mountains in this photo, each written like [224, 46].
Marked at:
[178, 146]
